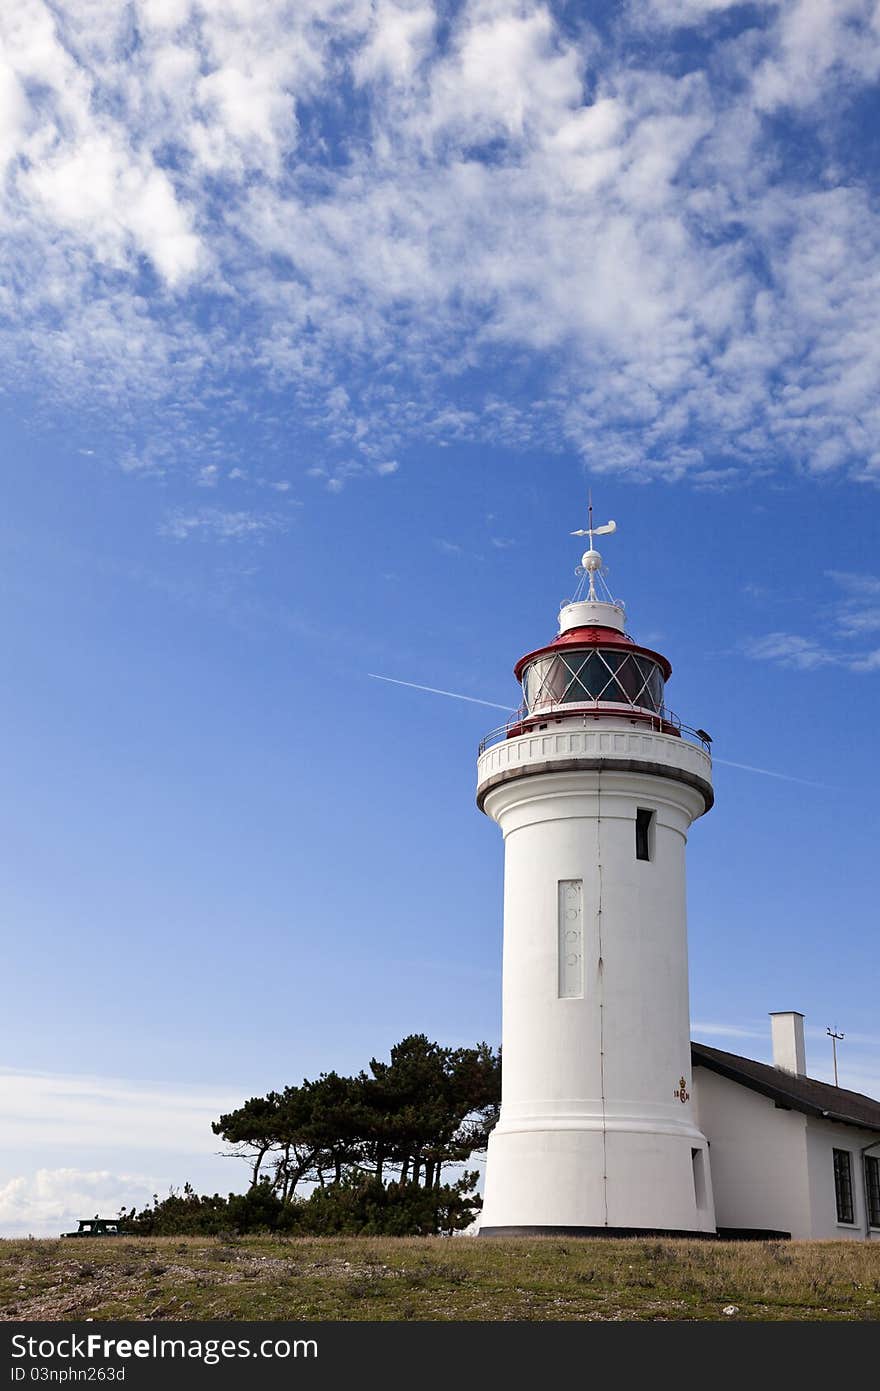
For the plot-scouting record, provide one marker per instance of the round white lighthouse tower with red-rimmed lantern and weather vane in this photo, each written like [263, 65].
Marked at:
[596, 787]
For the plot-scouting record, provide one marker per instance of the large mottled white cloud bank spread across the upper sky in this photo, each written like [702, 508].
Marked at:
[692, 303]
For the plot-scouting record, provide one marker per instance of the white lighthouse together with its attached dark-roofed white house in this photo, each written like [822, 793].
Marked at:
[611, 1120]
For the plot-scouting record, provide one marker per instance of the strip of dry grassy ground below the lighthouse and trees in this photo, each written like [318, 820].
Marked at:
[390, 1279]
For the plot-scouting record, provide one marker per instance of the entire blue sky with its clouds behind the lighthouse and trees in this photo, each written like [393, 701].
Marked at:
[318, 322]
